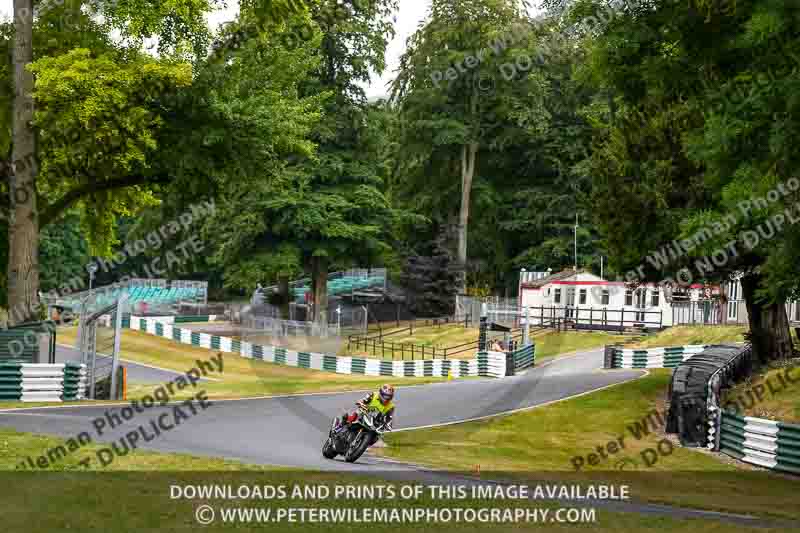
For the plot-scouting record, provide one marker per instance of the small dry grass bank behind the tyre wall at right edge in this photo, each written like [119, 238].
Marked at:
[773, 394]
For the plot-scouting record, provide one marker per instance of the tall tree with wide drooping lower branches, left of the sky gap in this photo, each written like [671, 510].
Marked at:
[327, 207]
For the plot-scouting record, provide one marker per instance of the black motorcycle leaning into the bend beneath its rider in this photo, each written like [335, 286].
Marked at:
[353, 439]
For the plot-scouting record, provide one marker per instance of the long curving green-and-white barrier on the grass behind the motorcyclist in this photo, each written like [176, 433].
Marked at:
[486, 364]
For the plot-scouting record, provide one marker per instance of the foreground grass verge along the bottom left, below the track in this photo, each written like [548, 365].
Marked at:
[134, 493]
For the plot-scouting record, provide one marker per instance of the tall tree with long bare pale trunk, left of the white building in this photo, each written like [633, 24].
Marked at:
[452, 94]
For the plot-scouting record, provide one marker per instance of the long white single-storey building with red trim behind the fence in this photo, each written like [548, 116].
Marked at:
[590, 302]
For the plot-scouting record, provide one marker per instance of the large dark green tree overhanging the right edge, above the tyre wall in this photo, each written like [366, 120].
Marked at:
[706, 118]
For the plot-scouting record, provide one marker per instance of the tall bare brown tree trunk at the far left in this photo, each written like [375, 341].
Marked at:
[23, 228]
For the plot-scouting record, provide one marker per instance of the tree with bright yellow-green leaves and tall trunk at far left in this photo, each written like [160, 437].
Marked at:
[101, 151]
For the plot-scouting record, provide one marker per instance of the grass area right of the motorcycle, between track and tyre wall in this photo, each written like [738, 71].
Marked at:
[541, 444]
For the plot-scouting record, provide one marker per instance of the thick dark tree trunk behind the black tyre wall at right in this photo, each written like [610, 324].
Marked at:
[769, 325]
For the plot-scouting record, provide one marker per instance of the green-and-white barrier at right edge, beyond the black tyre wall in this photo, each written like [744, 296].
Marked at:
[766, 443]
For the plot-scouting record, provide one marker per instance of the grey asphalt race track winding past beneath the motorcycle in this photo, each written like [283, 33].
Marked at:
[290, 430]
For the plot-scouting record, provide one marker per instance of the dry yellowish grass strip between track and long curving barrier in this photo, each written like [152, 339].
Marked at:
[241, 377]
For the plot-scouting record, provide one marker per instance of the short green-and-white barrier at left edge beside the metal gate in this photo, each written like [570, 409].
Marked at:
[28, 382]
